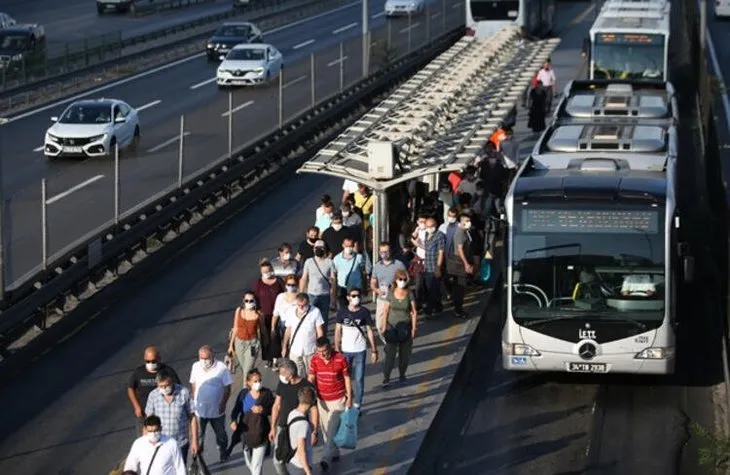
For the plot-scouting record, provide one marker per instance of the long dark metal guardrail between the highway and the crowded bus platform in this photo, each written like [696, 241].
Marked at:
[118, 248]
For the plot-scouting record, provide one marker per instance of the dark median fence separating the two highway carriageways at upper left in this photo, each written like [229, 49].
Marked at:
[62, 60]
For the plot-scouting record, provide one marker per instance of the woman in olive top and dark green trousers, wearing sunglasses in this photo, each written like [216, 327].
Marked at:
[398, 326]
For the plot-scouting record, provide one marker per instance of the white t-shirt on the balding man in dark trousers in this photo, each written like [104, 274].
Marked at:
[209, 387]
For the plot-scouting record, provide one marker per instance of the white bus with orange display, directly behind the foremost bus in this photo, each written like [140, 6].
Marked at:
[630, 40]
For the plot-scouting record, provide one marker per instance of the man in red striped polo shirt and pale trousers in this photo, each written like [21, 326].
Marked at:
[330, 375]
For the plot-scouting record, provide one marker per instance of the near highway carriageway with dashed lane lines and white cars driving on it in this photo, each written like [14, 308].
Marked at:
[162, 95]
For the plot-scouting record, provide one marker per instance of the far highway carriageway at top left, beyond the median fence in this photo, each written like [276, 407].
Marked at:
[74, 20]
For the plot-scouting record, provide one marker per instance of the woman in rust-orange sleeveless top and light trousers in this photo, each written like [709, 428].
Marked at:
[248, 333]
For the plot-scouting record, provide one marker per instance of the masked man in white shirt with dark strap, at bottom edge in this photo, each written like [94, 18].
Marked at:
[154, 453]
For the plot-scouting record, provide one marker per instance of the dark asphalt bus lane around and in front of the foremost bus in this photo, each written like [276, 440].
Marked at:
[544, 424]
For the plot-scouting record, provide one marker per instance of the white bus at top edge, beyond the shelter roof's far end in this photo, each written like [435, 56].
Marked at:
[486, 17]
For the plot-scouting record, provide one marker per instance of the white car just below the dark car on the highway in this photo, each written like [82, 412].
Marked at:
[249, 65]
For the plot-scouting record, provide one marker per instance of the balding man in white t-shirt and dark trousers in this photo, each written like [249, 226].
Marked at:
[210, 383]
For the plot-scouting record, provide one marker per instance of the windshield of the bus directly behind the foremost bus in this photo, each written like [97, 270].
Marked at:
[628, 60]
